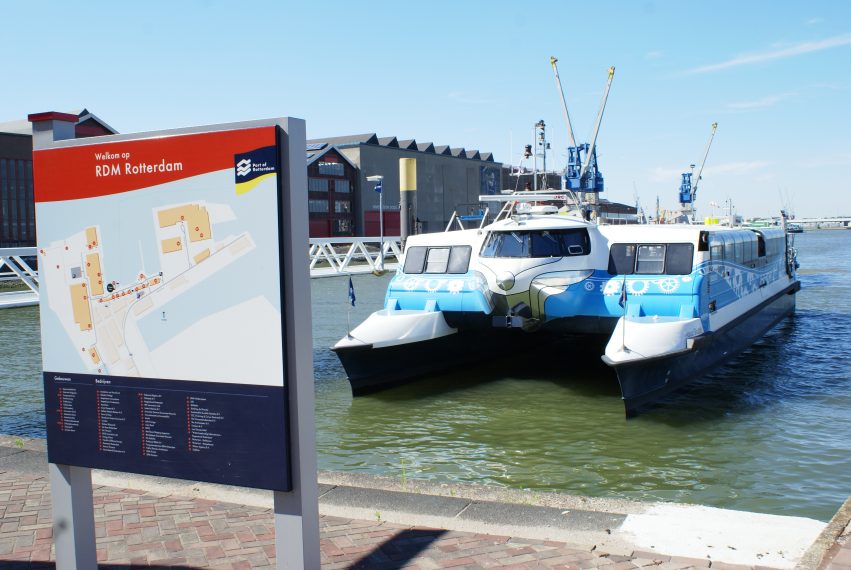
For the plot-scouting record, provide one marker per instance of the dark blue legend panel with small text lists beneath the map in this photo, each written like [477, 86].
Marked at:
[233, 434]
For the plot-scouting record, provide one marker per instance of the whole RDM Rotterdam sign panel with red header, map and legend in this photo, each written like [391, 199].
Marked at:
[161, 305]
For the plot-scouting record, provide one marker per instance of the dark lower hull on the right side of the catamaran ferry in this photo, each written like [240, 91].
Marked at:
[645, 381]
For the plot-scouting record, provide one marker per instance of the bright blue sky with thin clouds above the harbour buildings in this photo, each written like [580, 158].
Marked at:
[775, 75]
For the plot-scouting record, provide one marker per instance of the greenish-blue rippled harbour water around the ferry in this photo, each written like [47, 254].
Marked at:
[768, 432]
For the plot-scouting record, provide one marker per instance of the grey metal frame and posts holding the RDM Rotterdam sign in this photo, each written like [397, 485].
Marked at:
[296, 511]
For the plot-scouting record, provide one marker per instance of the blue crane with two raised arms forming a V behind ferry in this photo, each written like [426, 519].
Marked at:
[581, 174]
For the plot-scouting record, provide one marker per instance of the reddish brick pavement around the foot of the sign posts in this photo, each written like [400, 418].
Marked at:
[137, 528]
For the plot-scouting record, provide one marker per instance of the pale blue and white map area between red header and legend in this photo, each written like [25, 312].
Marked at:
[176, 281]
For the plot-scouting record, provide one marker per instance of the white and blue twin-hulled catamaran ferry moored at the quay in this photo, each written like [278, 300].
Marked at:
[668, 302]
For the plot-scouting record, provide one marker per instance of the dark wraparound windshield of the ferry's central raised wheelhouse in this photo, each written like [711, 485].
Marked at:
[538, 243]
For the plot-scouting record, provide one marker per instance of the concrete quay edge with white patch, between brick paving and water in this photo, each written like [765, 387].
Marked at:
[616, 527]
